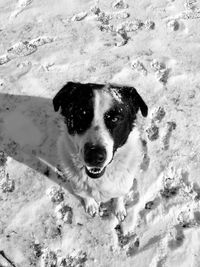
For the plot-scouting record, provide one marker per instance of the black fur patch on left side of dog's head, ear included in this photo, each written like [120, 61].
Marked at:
[77, 105]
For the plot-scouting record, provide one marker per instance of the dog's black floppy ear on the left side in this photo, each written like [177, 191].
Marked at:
[64, 95]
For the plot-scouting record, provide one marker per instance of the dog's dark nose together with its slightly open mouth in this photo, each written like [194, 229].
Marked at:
[94, 157]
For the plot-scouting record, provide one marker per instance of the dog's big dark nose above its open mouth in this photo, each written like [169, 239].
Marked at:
[94, 155]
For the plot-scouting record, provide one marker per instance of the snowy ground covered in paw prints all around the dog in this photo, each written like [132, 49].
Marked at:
[153, 45]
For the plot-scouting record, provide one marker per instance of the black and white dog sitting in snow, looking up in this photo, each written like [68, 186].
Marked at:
[100, 147]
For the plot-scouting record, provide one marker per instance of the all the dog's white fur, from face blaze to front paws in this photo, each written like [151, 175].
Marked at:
[117, 180]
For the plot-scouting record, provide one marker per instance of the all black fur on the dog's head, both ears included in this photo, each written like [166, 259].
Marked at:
[76, 101]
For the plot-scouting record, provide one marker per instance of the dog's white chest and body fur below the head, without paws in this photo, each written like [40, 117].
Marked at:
[118, 177]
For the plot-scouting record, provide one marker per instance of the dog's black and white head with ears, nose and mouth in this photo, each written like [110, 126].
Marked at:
[99, 119]
